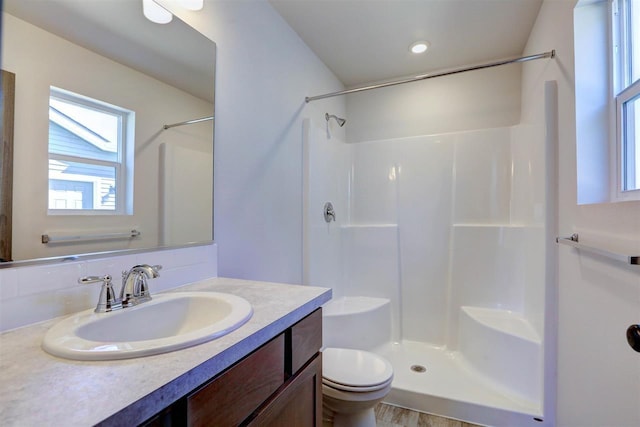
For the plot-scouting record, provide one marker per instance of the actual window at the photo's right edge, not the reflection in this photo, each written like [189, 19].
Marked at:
[626, 83]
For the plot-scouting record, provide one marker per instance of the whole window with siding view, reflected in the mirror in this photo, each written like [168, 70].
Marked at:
[90, 150]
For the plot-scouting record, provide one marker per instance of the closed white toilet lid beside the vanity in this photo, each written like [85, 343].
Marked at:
[355, 368]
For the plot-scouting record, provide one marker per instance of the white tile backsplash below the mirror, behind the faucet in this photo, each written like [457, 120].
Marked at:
[31, 294]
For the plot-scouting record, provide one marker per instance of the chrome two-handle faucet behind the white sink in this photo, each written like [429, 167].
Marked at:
[134, 288]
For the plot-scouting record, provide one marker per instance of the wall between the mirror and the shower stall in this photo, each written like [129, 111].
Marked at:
[264, 72]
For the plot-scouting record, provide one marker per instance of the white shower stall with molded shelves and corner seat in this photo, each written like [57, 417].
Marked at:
[456, 231]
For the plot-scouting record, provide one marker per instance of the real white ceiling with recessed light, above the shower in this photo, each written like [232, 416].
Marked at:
[364, 41]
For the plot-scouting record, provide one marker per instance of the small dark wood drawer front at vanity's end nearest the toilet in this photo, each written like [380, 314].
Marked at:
[306, 340]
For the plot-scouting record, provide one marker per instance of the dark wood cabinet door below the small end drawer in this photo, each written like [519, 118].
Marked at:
[299, 403]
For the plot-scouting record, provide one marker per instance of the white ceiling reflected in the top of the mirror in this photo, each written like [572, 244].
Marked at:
[118, 30]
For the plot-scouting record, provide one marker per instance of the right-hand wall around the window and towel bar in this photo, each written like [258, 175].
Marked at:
[598, 374]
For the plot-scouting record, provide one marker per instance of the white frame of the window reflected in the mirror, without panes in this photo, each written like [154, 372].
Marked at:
[123, 165]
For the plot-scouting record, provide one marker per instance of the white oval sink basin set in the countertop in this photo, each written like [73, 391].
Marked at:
[168, 322]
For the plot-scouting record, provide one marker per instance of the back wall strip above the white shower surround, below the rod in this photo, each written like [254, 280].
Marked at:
[478, 100]
